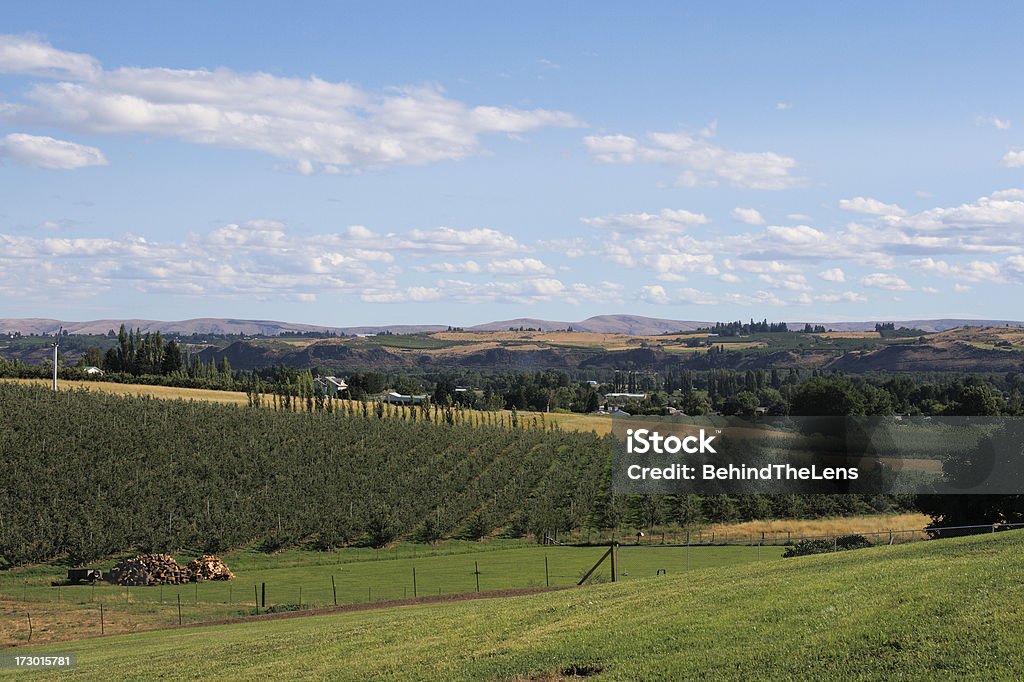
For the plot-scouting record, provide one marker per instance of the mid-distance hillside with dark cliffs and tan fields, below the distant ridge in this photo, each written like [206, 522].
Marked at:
[855, 353]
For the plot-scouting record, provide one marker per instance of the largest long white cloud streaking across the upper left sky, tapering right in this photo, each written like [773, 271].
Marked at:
[321, 126]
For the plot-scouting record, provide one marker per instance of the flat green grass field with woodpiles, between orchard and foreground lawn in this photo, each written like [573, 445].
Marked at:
[359, 576]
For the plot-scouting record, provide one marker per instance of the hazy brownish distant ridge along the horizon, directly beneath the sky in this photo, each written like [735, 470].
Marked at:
[613, 324]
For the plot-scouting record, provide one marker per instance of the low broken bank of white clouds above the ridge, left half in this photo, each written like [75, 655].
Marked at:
[260, 260]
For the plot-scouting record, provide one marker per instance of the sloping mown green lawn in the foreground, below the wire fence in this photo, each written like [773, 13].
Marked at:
[943, 610]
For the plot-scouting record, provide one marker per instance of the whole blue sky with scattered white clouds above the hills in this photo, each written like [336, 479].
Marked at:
[363, 164]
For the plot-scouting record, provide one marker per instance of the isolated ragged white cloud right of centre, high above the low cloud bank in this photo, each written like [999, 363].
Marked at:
[700, 162]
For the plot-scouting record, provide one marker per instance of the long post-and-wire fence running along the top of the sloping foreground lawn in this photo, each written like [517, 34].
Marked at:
[33, 611]
